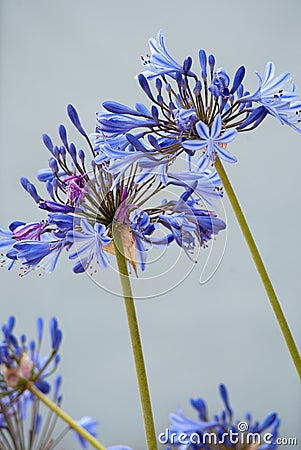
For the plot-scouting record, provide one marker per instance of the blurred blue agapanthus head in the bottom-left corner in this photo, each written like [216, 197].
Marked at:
[21, 364]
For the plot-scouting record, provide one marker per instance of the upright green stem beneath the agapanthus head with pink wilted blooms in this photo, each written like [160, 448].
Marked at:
[135, 340]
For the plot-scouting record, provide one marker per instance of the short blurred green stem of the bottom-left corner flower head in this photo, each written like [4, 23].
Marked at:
[59, 412]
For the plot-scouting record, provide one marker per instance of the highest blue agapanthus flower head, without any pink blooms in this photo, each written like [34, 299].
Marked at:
[195, 112]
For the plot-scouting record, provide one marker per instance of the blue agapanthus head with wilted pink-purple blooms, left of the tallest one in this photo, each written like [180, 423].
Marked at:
[87, 196]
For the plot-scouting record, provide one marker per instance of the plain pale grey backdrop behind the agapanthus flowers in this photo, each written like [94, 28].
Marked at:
[56, 52]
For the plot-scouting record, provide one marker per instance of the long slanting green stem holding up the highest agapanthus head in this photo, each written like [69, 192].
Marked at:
[260, 267]
